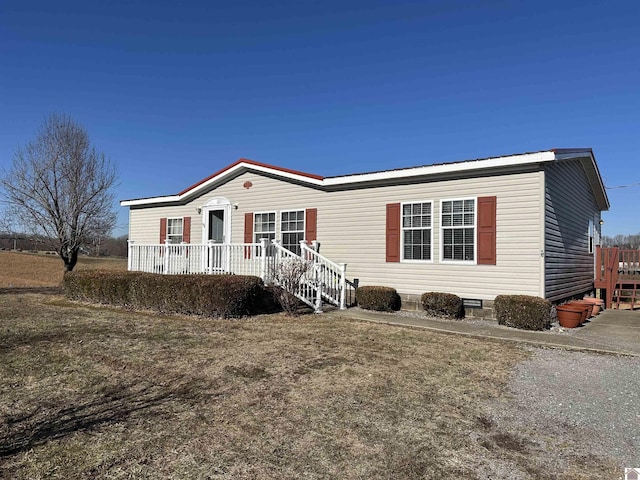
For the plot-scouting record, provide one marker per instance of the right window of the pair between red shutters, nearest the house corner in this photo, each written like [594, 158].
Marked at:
[458, 230]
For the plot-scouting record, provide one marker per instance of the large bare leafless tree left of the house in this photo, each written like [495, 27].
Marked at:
[60, 187]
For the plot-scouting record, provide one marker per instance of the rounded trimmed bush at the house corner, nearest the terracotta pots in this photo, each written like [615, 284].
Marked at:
[523, 311]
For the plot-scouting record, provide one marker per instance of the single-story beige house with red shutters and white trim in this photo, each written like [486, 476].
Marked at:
[517, 224]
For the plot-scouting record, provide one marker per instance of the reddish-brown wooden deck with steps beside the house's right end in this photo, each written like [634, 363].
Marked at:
[617, 273]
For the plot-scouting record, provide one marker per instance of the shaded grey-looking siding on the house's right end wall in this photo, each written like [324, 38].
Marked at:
[569, 207]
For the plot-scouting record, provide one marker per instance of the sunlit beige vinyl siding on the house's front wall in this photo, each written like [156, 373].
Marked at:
[351, 229]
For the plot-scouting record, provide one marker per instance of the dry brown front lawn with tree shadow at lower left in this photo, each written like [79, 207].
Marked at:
[91, 392]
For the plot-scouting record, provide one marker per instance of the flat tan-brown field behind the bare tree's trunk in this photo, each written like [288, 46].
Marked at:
[21, 269]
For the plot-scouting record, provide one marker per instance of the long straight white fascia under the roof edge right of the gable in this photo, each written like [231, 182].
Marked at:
[497, 162]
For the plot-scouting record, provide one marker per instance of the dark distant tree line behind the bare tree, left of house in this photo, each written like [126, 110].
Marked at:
[95, 247]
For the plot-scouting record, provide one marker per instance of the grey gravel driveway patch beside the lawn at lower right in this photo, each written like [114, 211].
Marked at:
[564, 404]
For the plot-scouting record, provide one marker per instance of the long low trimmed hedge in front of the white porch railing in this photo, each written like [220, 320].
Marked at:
[209, 295]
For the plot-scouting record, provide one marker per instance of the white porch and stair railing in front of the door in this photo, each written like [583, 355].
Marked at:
[320, 278]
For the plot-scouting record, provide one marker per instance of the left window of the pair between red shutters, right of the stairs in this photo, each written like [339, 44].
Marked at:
[417, 231]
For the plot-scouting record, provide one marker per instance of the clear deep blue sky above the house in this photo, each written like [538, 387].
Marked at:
[173, 91]
